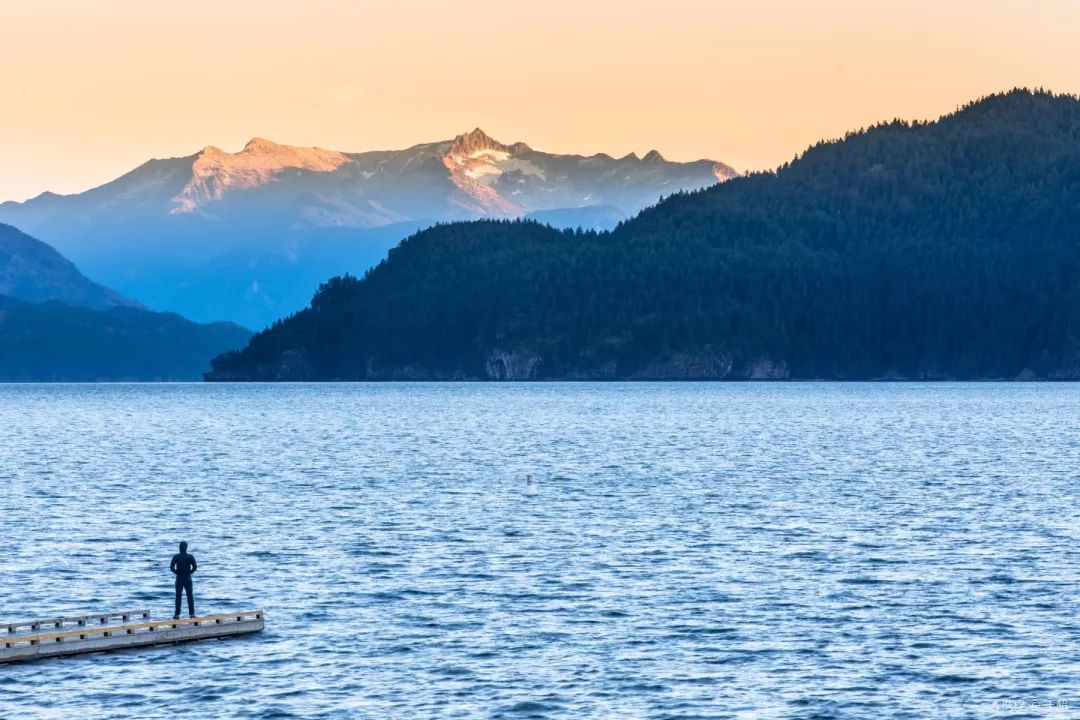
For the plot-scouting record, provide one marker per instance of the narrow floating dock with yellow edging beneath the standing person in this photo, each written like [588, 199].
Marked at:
[84, 634]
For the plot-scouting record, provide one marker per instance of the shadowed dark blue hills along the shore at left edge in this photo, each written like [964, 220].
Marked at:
[58, 325]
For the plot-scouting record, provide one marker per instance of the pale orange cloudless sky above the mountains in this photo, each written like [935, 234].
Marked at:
[91, 90]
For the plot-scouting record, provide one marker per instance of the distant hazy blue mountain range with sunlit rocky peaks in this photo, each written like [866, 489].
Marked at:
[249, 236]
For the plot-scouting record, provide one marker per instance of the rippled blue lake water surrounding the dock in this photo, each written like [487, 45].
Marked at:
[695, 551]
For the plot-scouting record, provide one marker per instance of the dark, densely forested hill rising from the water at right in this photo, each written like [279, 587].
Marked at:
[942, 250]
